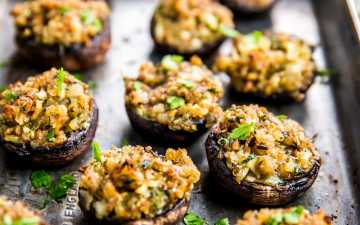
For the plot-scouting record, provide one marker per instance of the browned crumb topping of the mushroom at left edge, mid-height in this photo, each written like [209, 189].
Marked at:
[46, 110]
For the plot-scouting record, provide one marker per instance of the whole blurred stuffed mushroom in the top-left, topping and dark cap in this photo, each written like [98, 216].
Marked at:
[74, 34]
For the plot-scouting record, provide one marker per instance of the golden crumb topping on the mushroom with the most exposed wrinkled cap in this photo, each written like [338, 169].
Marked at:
[263, 148]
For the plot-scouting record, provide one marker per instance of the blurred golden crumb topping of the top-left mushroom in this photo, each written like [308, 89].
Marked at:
[63, 22]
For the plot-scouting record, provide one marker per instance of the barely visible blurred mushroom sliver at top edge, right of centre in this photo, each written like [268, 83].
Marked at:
[249, 6]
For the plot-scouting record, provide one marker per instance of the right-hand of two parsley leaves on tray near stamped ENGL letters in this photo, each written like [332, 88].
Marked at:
[59, 190]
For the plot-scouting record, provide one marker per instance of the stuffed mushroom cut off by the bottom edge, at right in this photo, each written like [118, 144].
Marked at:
[295, 215]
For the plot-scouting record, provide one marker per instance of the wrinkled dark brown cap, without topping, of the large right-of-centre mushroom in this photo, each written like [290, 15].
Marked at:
[256, 193]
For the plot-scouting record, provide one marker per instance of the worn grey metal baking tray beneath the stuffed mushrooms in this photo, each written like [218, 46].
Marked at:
[331, 110]
